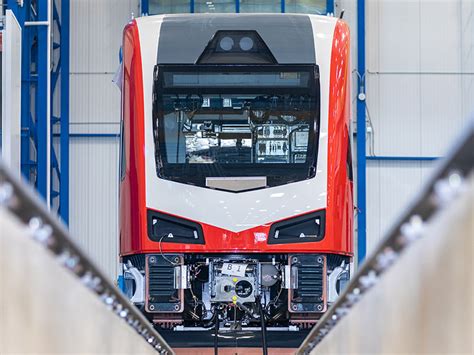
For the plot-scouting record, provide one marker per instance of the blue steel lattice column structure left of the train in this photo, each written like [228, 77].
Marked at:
[38, 156]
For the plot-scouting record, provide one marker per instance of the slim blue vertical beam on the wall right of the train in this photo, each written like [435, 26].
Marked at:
[361, 134]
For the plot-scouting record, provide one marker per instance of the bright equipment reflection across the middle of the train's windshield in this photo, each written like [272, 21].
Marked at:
[236, 129]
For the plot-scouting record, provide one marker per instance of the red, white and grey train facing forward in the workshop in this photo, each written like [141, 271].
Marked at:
[236, 184]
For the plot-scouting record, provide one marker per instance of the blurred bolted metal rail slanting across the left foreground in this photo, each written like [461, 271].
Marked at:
[20, 200]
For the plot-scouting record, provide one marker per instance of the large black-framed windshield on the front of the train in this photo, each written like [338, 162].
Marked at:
[236, 123]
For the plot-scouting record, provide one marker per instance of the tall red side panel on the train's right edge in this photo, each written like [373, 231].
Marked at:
[339, 200]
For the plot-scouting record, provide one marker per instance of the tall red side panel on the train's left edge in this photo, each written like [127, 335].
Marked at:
[132, 187]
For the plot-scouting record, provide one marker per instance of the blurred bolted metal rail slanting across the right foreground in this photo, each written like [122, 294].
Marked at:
[447, 182]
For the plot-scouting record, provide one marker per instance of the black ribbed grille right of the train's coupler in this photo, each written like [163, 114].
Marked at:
[309, 294]
